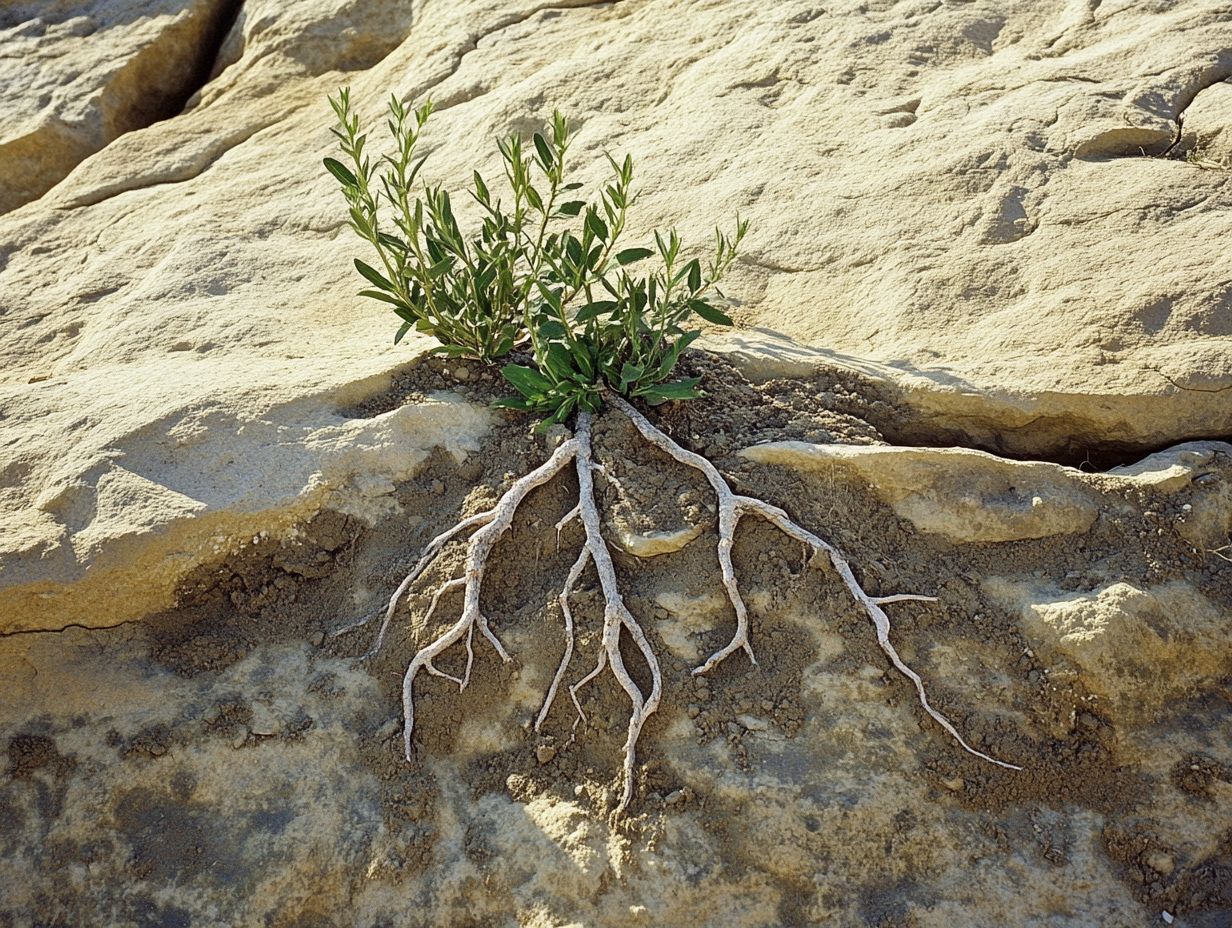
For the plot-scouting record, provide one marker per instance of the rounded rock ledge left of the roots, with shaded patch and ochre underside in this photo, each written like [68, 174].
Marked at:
[113, 545]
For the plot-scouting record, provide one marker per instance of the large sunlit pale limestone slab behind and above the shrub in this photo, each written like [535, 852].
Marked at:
[1015, 258]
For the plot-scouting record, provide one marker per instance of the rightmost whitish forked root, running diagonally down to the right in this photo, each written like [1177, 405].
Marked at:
[731, 508]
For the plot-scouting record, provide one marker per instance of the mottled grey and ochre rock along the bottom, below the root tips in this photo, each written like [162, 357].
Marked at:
[240, 830]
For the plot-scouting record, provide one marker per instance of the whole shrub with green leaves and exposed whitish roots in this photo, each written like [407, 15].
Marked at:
[548, 275]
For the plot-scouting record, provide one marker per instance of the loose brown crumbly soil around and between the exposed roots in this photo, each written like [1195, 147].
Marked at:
[302, 591]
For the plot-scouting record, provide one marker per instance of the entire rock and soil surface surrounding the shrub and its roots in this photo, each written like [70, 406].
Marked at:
[975, 224]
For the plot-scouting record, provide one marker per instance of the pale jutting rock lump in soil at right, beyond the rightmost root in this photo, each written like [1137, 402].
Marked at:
[1138, 649]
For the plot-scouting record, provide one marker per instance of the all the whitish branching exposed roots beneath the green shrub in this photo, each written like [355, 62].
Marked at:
[618, 621]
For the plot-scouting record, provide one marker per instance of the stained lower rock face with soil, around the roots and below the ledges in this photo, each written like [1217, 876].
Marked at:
[231, 760]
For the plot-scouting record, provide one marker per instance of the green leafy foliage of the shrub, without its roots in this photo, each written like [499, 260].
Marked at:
[545, 274]
